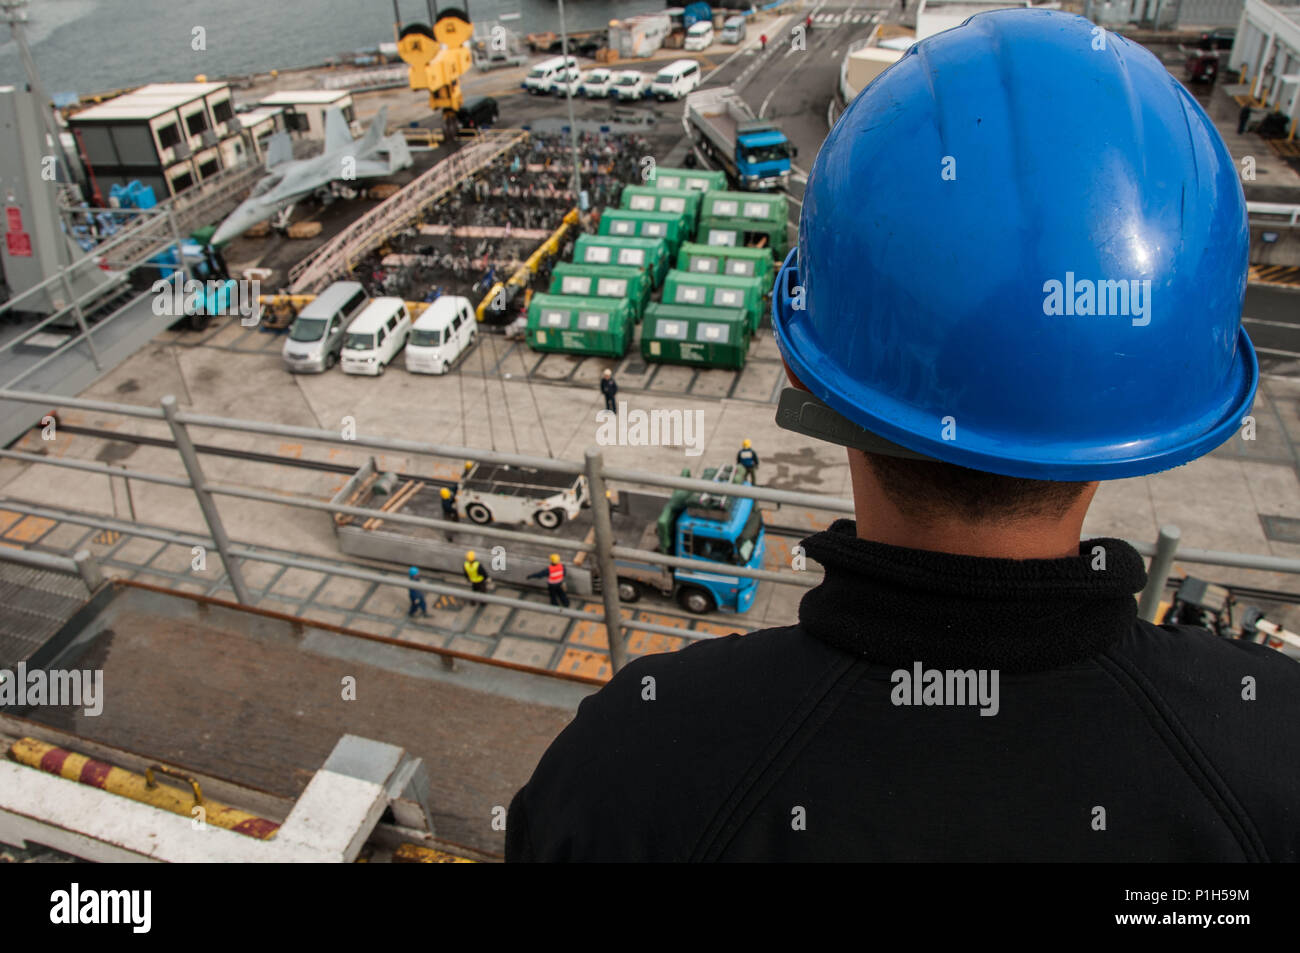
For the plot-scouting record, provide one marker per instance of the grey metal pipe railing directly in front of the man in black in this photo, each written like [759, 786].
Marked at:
[593, 467]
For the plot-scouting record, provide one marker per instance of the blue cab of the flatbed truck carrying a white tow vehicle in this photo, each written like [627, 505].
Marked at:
[718, 530]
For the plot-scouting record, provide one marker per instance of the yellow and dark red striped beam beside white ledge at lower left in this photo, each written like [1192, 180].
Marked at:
[115, 781]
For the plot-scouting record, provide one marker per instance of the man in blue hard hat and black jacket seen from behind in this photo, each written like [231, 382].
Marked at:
[993, 310]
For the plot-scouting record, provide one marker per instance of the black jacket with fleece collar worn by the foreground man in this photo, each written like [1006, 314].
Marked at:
[1108, 739]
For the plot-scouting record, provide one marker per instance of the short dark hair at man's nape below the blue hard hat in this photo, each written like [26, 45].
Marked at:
[931, 492]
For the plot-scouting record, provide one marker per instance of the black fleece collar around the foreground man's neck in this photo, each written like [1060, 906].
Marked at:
[898, 607]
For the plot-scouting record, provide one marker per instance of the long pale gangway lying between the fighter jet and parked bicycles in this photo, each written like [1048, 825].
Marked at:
[341, 253]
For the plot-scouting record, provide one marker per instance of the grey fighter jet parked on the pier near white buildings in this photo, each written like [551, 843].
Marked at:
[344, 161]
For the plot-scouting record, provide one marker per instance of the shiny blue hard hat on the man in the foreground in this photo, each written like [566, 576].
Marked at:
[1022, 250]
